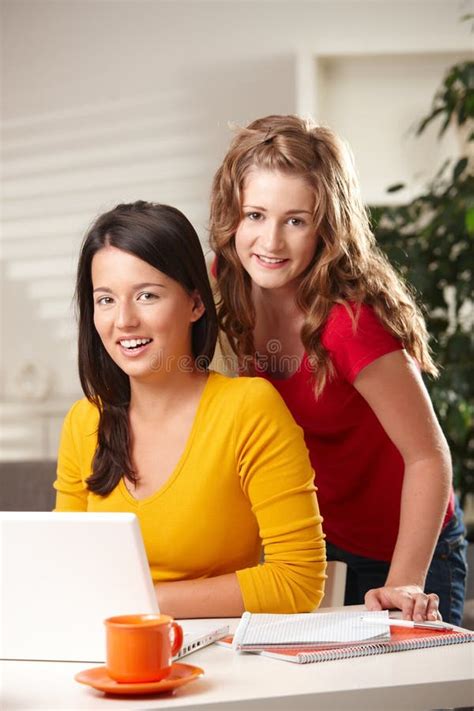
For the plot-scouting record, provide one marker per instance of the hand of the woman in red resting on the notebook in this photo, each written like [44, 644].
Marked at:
[410, 599]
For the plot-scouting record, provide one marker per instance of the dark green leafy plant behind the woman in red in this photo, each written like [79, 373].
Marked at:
[431, 241]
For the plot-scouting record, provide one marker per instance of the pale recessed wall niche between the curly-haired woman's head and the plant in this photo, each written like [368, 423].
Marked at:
[376, 101]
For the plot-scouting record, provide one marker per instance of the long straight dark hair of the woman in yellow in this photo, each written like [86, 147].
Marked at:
[164, 238]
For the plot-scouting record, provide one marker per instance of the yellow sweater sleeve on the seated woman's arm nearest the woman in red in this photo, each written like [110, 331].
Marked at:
[277, 478]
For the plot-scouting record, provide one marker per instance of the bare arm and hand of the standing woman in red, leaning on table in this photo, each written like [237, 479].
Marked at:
[393, 387]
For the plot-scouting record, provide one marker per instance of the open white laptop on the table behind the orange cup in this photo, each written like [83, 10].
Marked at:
[62, 574]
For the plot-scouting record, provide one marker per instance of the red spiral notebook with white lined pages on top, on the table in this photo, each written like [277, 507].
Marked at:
[333, 637]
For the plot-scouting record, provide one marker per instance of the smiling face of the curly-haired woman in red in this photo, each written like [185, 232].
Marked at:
[276, 238]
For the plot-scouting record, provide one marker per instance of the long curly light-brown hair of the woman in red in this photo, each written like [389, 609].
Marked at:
[347, 268]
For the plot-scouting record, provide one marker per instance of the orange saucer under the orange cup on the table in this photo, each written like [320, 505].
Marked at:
[99, 679]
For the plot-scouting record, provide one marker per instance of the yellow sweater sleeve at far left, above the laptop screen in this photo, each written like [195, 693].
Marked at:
[78, 438]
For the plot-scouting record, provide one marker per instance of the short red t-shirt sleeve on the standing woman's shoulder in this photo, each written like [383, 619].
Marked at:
[354, 340]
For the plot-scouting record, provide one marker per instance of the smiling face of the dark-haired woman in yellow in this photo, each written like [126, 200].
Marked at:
[142, 316]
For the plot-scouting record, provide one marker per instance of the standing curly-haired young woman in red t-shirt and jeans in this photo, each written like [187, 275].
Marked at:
[308, 301]
